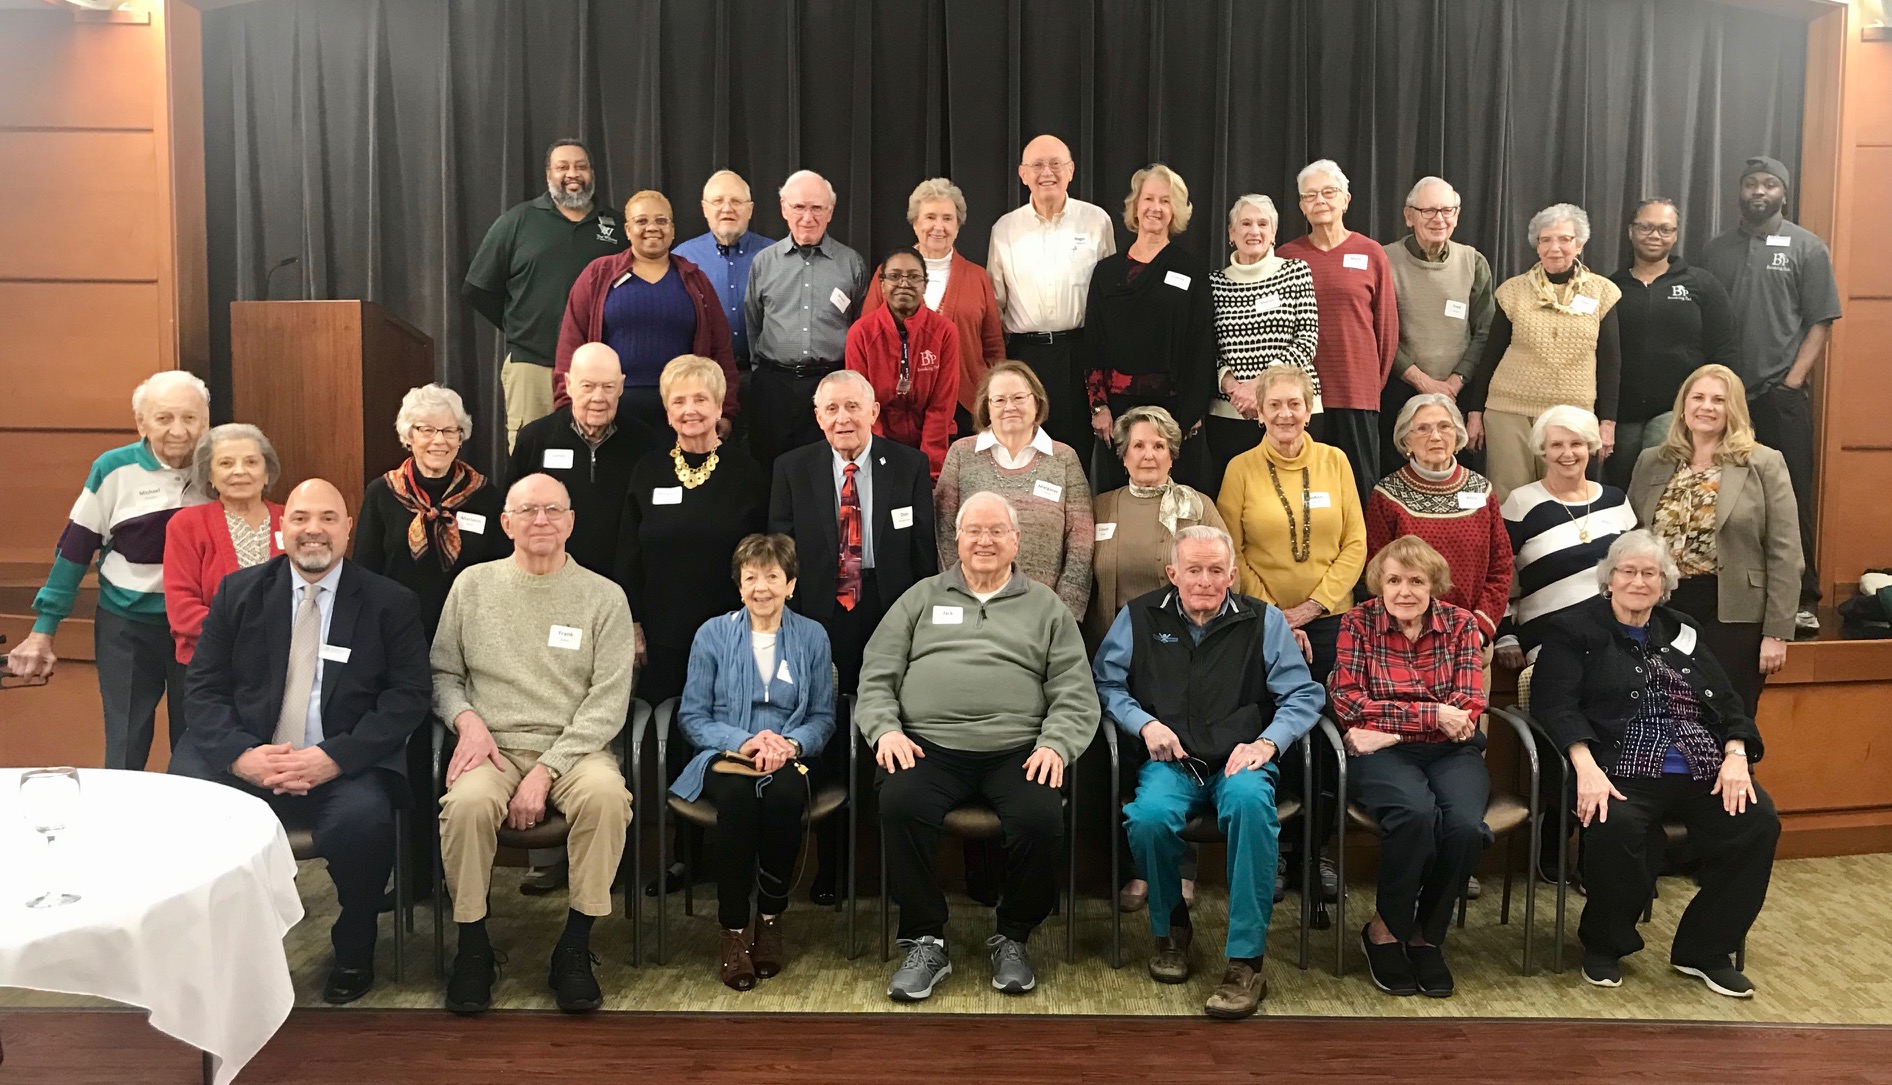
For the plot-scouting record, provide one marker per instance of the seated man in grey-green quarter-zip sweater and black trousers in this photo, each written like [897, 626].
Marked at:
[975, 686]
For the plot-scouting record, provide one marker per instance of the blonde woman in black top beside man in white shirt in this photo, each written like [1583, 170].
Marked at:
[1149, 334]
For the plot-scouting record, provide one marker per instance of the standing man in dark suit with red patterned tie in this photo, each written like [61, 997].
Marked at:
[881, 497]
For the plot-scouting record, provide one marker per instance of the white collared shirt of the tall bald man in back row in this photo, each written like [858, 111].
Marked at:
[1042, 266]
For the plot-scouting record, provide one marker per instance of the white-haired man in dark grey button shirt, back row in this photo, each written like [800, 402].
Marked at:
[805, 293]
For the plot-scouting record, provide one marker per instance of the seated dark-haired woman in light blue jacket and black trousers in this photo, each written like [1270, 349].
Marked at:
[762, 685]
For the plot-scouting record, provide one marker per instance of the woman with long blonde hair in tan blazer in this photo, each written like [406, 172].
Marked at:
[1725, 508]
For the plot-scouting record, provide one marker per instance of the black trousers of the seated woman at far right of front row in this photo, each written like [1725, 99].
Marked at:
[1736, 864]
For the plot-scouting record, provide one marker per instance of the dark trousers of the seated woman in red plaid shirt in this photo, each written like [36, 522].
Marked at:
[1429, 800]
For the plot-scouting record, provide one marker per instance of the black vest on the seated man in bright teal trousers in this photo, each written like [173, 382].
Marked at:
[1214, 694]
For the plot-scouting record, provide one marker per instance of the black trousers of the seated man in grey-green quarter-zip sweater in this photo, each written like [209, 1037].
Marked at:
[913, 808]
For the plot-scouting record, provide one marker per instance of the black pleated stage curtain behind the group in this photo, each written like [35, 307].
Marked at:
[377, 139]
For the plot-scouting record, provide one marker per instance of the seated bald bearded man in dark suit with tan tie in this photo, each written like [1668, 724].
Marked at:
[306, 686]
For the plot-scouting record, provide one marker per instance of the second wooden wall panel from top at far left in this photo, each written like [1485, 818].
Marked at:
[113, 221]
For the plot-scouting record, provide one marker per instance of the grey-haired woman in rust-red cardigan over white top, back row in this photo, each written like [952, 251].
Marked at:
[958, 291]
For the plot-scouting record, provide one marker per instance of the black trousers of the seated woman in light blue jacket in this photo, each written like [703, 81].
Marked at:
[756, 842]
